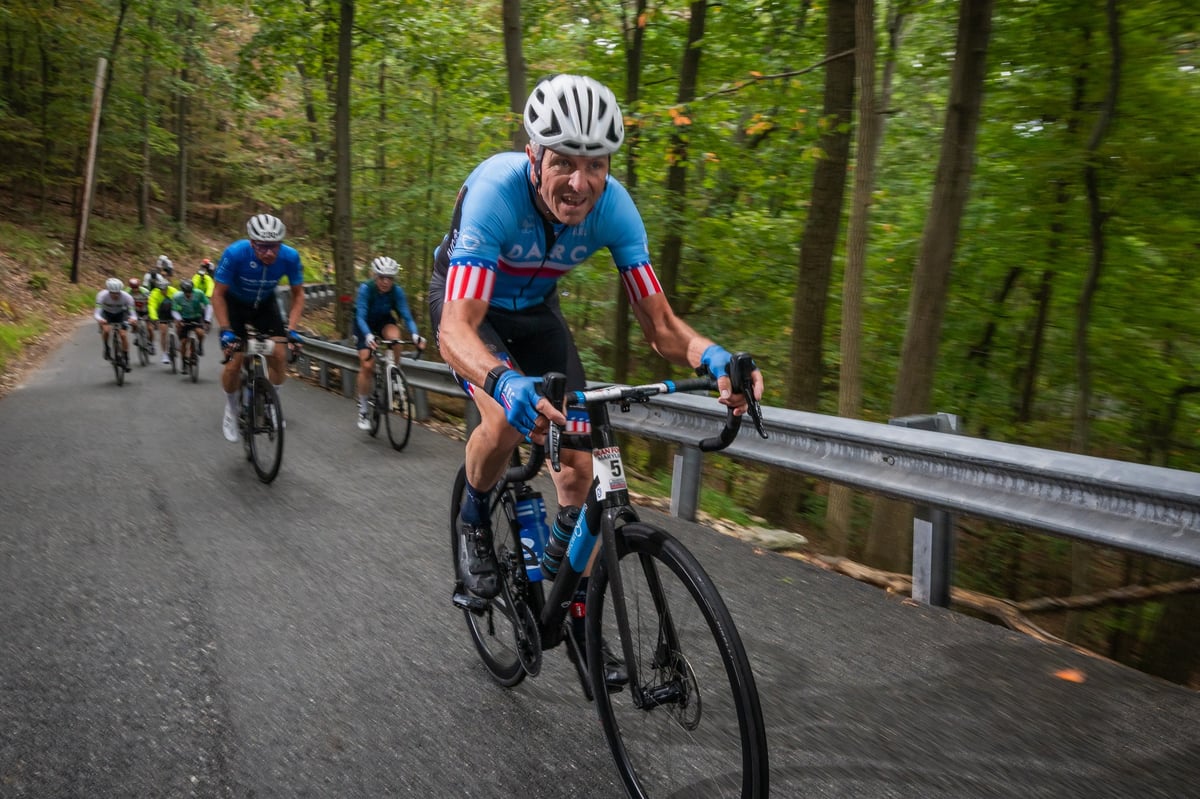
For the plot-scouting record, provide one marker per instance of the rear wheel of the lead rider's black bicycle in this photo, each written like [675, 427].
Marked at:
[493, 629]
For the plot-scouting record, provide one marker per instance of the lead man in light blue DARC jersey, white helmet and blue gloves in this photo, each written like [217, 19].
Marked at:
[523, 221]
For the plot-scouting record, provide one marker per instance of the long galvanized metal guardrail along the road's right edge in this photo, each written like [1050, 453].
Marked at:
[1131, 507]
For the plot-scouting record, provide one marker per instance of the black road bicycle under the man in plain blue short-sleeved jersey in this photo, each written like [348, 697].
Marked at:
[261, 419]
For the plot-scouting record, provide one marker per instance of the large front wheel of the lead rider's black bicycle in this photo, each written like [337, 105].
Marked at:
[706, 735]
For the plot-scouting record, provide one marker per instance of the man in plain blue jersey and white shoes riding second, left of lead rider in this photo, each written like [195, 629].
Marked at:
[244, 295]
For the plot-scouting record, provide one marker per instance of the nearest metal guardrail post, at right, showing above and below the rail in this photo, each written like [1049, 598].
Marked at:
[933, 530]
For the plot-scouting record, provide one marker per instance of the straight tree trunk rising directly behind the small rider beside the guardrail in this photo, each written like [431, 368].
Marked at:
[344, 217]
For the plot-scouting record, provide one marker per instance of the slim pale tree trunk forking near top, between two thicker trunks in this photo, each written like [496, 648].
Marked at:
[839, 509]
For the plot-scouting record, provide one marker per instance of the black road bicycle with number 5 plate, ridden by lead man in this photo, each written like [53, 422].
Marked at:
[688, 723]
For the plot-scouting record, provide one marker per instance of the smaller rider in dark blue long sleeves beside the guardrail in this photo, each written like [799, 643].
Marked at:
[381, 303]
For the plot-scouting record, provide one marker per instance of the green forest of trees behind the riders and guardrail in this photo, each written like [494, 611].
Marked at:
[899, 208]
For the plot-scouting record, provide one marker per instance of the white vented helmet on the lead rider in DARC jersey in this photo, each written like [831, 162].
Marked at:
[575, 116]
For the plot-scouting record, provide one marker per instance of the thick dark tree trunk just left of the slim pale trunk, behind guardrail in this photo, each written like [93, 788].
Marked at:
[784, 491]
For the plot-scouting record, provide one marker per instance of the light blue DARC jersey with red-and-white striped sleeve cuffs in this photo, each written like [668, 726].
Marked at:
[502, 250]
